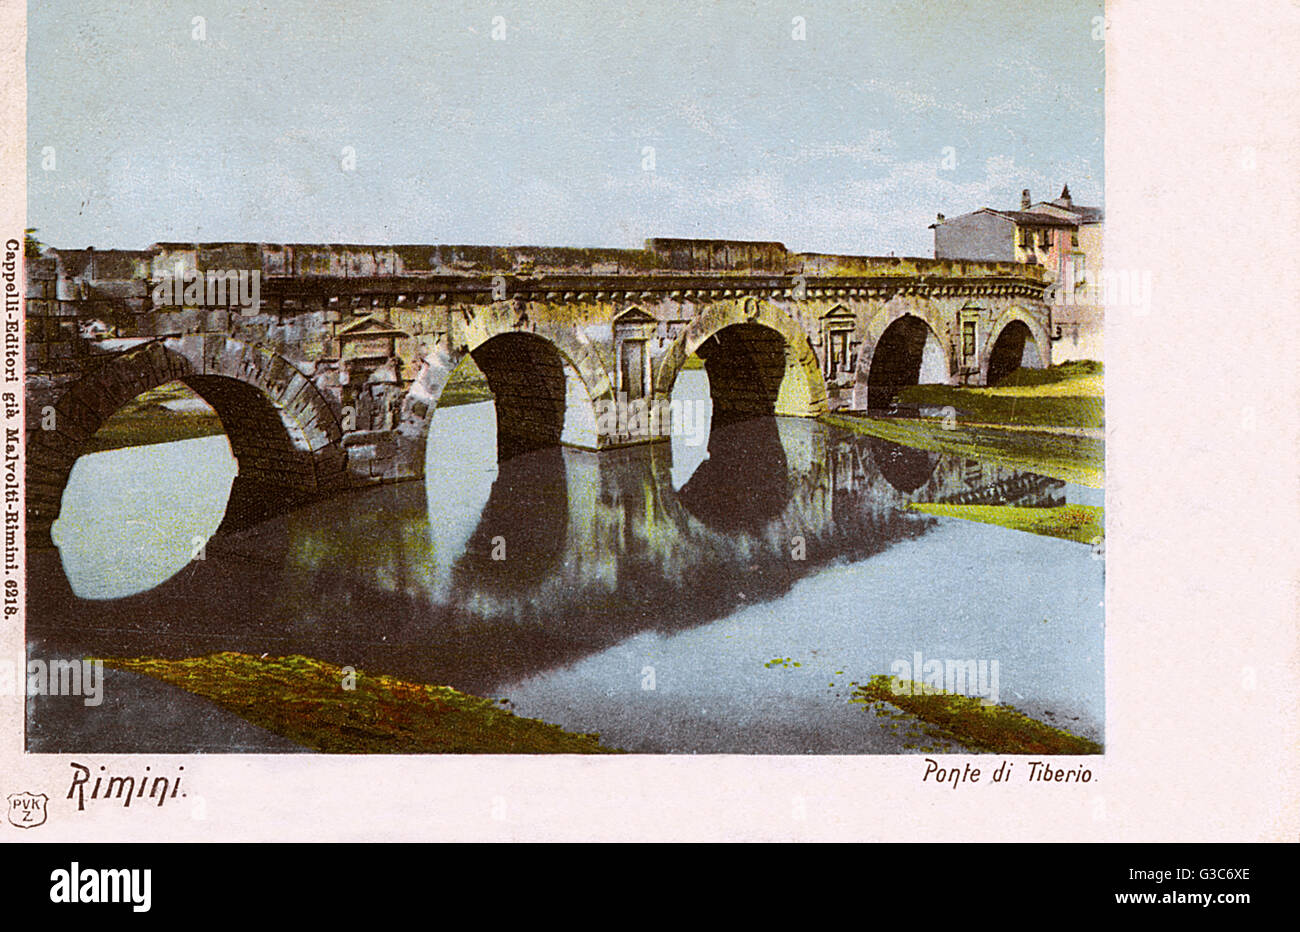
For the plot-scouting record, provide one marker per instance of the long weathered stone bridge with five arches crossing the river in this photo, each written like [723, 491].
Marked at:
[326, 363]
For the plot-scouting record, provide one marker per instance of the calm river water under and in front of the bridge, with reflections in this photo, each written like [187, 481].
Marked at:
[681, 597]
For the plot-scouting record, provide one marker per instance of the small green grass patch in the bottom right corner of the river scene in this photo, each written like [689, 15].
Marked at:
[970, 723]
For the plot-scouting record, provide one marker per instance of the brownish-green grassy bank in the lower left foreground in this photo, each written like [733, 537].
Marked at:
[311, 703]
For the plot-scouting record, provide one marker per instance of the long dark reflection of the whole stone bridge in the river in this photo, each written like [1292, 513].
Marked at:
[596, 548]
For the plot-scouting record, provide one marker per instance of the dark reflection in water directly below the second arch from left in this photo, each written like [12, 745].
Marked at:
[525, 528]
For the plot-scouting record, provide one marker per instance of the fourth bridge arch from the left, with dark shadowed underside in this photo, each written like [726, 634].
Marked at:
[894, 352]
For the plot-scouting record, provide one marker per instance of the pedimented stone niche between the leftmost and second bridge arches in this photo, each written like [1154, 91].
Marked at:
[370, 372]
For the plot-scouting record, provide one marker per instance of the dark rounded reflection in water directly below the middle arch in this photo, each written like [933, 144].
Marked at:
[746, 482]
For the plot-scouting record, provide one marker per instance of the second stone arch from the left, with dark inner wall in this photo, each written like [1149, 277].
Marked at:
[504, 319]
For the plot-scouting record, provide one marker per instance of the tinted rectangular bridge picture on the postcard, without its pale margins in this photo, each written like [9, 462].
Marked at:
[566, 378]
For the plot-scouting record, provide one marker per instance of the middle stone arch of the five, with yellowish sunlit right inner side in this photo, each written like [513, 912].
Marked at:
[756, 343]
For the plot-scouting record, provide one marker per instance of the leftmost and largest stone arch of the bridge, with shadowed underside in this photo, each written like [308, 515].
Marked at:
[283, 434]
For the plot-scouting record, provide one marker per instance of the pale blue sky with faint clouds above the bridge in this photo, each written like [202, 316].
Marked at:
[833, 144]
